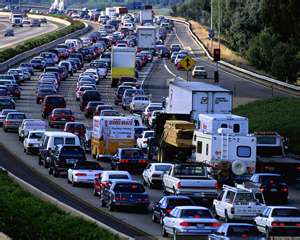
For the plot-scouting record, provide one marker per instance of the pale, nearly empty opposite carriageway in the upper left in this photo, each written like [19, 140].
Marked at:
[23, 33]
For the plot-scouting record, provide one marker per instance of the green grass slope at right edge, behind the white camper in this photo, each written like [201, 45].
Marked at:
[280, 114]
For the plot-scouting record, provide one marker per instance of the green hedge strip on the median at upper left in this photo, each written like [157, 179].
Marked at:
[40, 40]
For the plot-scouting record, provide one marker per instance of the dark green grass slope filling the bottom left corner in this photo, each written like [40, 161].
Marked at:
[25, 217]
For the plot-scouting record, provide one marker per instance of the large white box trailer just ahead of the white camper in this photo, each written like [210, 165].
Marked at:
[196, 97]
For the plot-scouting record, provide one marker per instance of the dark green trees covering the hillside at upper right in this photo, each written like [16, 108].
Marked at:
[266, 32]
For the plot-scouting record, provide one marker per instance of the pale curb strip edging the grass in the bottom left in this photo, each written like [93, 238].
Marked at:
[44, 196]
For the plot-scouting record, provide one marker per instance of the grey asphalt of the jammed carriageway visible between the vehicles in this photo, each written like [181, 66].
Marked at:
[155, 77]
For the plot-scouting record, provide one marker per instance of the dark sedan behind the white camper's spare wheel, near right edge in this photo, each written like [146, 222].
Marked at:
[272, 186]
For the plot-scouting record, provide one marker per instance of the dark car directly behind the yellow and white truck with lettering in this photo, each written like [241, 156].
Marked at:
[129, 159]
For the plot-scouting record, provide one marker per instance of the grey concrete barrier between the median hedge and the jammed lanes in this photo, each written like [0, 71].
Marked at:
[4, 66]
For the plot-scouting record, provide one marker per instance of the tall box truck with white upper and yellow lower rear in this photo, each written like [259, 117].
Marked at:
[122, 64]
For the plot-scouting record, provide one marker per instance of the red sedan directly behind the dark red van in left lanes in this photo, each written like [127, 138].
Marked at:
[59, 116]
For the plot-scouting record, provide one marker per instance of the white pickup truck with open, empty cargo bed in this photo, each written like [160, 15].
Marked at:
[191, 180]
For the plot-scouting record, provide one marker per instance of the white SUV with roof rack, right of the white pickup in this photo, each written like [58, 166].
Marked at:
[238, 203]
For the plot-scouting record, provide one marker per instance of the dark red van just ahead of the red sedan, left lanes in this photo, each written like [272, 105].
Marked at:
[50, 102]
